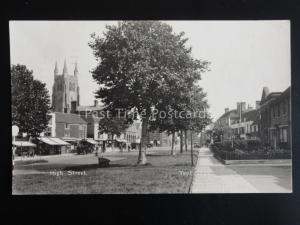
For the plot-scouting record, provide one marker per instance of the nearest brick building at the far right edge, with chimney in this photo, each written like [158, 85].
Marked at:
[275, 118]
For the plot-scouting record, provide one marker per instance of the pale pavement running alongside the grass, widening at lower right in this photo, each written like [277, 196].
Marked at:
[211, 176]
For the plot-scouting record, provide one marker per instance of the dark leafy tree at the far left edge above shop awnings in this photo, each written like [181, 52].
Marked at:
[30, 101]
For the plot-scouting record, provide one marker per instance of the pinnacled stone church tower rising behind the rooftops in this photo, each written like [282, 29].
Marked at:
[65, 92]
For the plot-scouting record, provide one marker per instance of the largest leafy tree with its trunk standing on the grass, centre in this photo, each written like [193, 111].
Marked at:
[139, 64]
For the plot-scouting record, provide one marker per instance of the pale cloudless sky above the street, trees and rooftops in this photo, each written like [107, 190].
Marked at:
[245, 56]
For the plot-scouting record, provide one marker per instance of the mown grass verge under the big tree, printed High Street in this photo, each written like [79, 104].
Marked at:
[162, 174]
